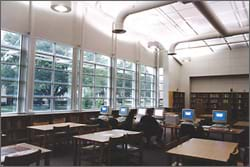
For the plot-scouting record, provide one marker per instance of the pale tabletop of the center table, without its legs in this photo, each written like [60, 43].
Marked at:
[103, 136]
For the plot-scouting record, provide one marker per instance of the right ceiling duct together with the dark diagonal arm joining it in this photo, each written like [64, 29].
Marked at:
[215, 22]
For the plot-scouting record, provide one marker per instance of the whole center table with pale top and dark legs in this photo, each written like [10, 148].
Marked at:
[101, 138]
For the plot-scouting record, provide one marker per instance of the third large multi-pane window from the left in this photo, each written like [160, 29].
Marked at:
[95, 80]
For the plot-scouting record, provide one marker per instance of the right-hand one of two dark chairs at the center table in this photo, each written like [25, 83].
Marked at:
[134, 146]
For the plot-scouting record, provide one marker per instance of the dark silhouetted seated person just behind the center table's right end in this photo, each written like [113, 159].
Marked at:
[151, 127]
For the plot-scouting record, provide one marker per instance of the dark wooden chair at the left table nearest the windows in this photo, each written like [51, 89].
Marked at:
[61, 134]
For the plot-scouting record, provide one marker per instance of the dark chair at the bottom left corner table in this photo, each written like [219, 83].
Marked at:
[23, 160]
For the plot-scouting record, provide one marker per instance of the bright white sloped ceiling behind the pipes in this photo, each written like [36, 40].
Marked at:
[177, 21]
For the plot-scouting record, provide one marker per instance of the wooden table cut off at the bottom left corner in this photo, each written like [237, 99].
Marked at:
[24, 148]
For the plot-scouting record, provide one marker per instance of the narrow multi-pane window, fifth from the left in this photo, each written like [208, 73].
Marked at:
[147, 86]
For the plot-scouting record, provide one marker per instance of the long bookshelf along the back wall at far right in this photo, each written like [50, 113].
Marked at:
[236, 103]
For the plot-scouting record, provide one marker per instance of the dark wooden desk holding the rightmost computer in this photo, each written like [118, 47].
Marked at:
[233, 131]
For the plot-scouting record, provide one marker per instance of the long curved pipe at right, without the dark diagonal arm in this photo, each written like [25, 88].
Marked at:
[172, 47]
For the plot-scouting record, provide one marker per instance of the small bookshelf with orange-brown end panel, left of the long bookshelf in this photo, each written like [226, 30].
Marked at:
[176, 101]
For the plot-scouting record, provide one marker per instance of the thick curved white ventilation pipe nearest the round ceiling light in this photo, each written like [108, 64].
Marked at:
[118, 24]
